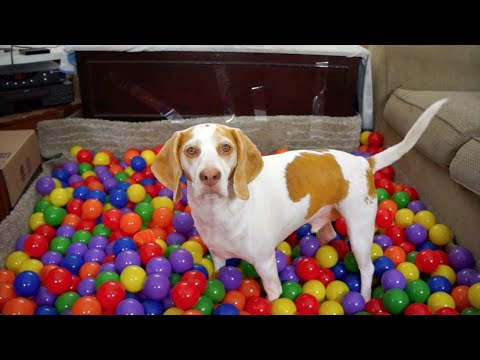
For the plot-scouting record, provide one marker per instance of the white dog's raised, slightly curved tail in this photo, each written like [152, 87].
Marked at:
[393, 153]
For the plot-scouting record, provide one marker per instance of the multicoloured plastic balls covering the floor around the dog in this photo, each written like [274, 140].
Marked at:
[106, 238]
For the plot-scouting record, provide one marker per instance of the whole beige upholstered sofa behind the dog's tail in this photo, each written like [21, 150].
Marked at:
[444, 166]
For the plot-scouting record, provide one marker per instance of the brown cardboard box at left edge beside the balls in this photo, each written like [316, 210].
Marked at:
[19, 160]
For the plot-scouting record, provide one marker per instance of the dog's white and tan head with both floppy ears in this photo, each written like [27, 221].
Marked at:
[211, 156]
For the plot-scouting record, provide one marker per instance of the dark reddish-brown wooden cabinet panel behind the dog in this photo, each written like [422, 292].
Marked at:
[153, 85]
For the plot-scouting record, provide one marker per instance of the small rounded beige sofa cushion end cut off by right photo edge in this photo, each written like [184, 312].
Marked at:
[465, 166]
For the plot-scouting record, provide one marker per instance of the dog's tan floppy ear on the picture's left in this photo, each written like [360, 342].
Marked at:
[166, 165]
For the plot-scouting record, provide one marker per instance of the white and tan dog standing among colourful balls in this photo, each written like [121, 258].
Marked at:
[244, 204]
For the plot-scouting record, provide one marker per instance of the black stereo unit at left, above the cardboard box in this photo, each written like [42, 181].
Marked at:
[27, 87]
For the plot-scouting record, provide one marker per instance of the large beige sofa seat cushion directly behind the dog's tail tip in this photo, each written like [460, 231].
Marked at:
[456, 123]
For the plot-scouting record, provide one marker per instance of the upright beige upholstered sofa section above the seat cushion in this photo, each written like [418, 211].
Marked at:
[422, 67]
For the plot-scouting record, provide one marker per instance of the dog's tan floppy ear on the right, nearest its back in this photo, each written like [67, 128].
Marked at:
[249, 164]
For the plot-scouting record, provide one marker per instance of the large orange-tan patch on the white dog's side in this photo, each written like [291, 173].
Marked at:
[317, 175]
